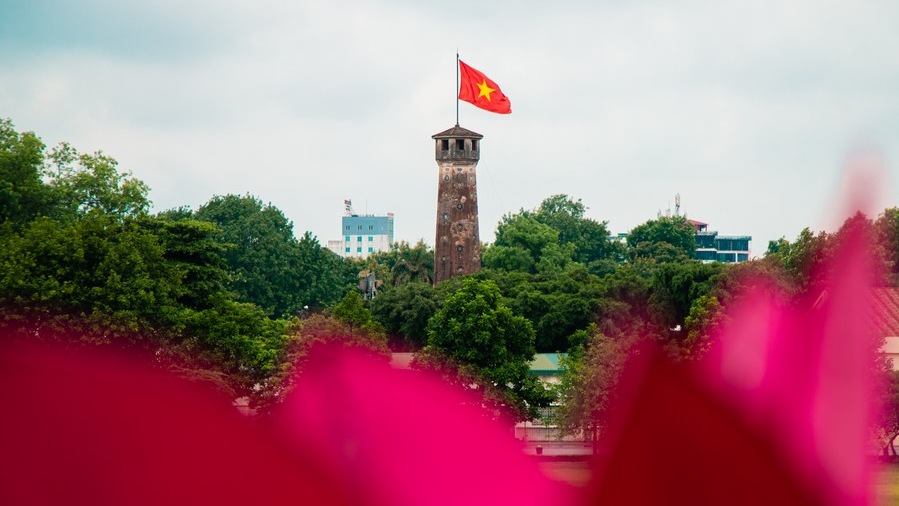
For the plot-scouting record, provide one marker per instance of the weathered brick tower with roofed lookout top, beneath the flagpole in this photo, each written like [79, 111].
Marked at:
[457, 248]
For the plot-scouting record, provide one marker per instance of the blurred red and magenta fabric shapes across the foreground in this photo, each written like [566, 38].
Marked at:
[776, 415]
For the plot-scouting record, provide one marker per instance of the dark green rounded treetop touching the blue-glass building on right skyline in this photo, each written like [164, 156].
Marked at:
[666, 239]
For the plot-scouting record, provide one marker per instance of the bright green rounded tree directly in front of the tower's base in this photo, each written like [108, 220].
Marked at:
[475, 339]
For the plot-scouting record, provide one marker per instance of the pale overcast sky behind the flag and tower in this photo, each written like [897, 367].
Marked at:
[748, 109]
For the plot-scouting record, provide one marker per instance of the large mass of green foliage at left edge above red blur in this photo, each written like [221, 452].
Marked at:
[80, 254]
